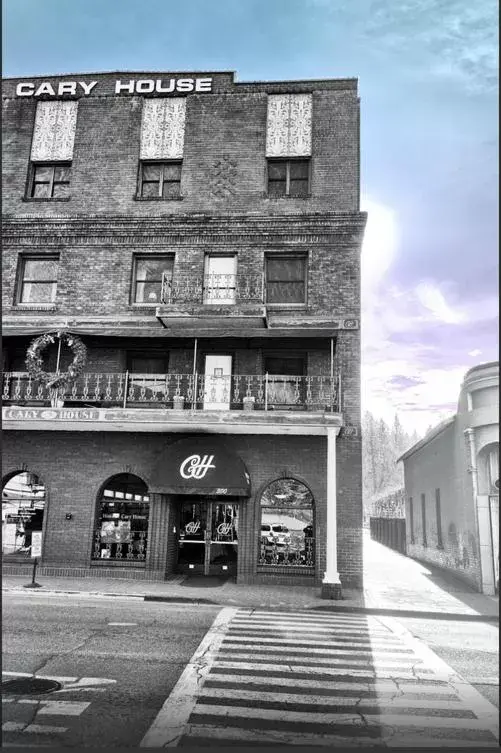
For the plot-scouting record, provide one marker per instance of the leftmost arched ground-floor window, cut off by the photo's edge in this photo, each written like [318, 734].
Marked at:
[23, 504]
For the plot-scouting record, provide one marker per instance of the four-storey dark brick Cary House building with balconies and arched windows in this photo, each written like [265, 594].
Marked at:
[201, 238]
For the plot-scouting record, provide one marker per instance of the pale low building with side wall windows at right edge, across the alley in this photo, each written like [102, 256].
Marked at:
[452, 486]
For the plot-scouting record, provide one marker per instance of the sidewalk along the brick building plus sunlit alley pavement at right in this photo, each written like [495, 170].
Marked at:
[393, 584]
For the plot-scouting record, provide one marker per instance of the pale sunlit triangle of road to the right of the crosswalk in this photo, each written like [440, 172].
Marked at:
[470, 648]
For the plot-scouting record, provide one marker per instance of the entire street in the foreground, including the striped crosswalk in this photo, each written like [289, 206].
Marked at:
[255, 676]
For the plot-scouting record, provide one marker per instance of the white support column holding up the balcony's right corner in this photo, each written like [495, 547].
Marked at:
[331, 584]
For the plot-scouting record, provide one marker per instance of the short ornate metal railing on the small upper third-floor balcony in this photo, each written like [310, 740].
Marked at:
[213, 289]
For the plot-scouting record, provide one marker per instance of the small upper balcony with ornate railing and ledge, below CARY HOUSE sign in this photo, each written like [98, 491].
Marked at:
[212, 298]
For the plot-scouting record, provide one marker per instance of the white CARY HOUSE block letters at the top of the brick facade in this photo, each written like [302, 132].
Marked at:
[141, 86]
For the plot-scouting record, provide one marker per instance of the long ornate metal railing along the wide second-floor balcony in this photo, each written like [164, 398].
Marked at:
[196, 391]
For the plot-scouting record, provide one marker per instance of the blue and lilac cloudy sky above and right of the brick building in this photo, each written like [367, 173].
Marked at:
[428, 78]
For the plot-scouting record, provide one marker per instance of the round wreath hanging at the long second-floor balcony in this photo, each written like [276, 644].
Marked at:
[34, 359]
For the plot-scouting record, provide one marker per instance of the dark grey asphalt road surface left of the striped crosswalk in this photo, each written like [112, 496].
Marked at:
[73, 638]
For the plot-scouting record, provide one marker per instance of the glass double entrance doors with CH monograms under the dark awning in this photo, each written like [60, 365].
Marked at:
[208, 537]
